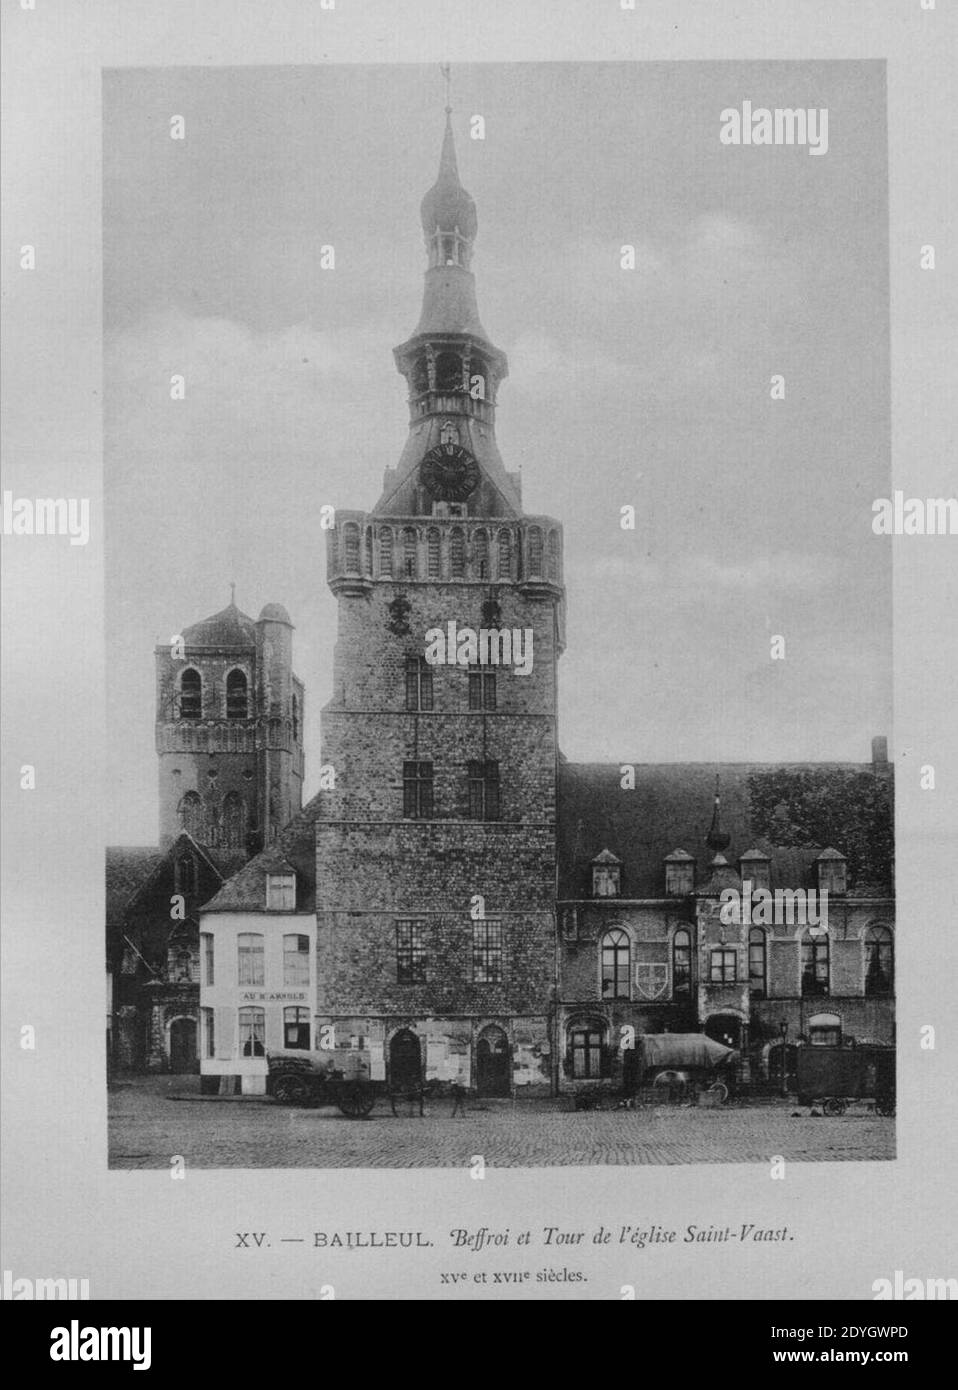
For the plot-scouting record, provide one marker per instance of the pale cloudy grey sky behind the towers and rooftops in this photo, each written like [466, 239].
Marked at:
[649, 389]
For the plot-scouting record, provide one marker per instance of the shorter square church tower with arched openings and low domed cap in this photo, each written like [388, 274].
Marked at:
[230, 732]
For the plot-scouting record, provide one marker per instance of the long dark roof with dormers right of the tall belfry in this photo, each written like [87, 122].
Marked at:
[786, 811]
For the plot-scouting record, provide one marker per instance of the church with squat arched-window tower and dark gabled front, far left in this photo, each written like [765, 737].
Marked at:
[230, 775]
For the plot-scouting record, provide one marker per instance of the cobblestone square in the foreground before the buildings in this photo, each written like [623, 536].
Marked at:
[148, 1125]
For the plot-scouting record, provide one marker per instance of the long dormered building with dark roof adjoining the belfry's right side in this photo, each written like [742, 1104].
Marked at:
[638, 958]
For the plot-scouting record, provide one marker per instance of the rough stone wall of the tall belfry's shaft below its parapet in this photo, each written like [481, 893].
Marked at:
[376, 867]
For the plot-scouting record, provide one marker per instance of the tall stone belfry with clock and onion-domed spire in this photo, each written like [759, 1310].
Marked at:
[437, 844]
